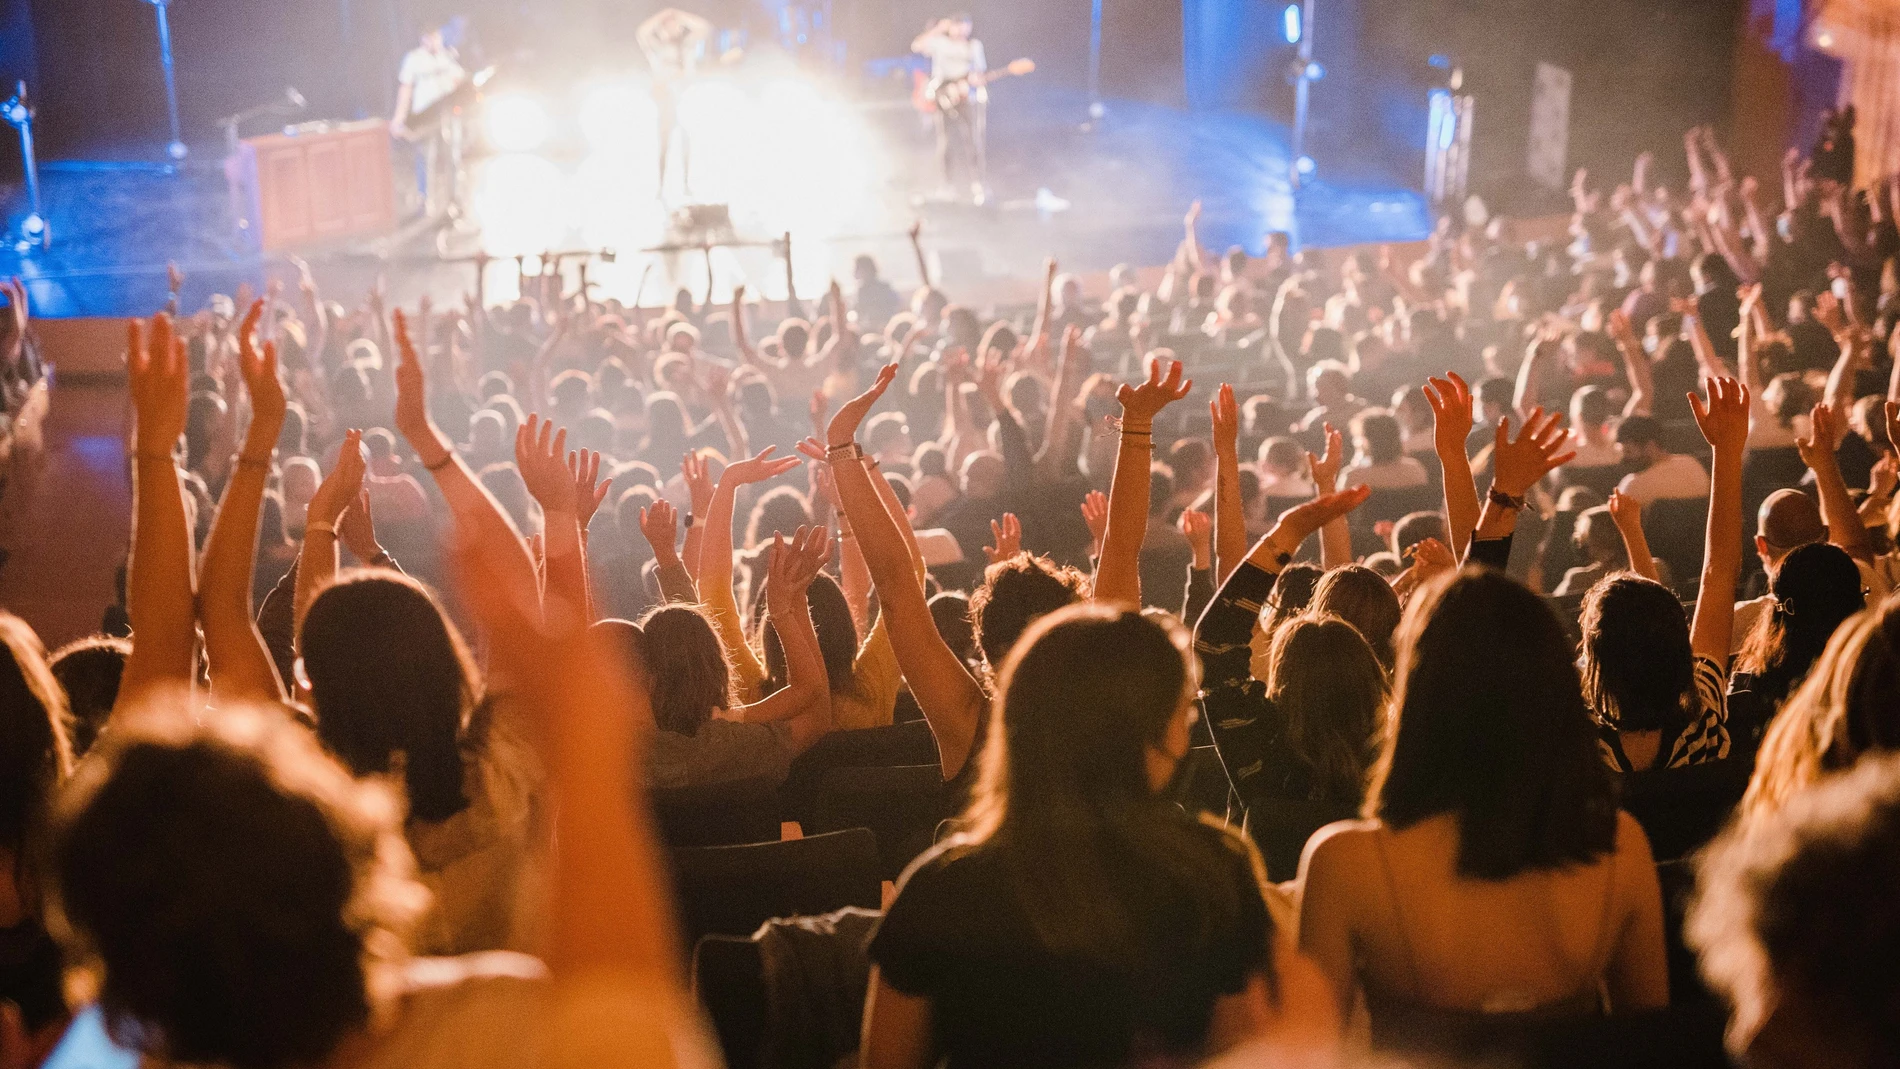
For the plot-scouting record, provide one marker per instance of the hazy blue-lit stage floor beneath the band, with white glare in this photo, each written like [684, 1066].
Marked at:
[1090, 197]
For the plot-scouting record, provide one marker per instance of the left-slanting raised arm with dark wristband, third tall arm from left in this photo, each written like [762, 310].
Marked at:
[478, 516]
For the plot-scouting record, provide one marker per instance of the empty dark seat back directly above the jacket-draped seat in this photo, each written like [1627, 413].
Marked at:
[736, 890]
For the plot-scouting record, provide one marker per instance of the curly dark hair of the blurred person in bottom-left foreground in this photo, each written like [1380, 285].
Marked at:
[229, 891]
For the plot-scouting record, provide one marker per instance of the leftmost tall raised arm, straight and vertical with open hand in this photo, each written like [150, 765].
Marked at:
[159, 582]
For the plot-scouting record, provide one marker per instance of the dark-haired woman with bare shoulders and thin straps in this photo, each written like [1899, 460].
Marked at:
[1525, 893]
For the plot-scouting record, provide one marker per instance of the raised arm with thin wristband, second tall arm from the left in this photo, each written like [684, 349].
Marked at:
[235, 650]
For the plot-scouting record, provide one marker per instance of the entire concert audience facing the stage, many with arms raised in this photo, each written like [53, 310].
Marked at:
[1361, 658]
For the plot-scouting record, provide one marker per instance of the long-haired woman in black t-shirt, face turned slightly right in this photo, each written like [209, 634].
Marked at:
[1080, 918]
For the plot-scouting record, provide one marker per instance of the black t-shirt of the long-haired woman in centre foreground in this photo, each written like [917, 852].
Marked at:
[959, 937]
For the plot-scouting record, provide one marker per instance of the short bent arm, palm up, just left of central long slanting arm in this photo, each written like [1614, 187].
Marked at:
[805, 702]
